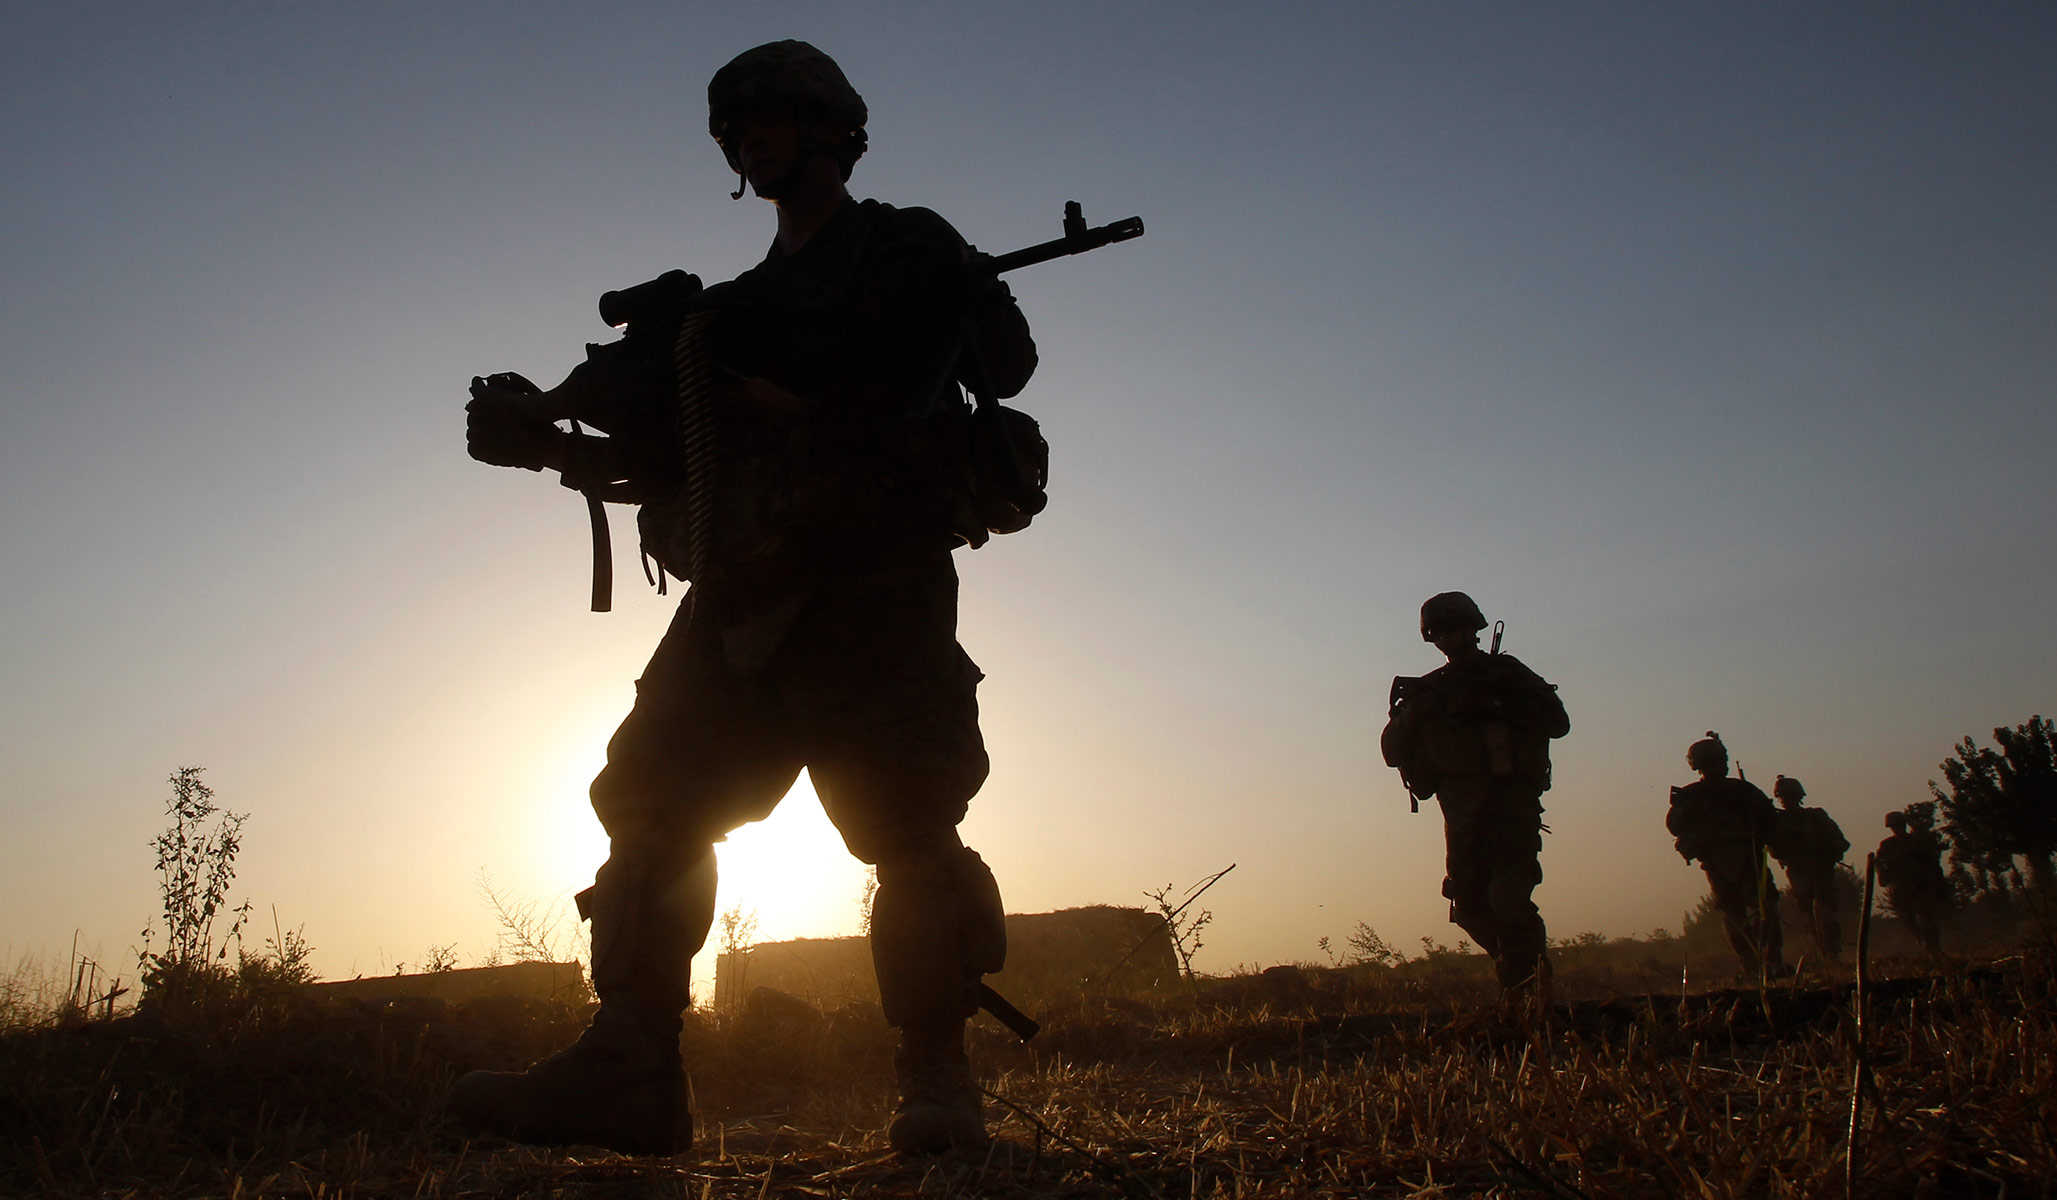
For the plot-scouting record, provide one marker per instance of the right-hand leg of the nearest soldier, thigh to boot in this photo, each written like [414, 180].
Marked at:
[892, 732]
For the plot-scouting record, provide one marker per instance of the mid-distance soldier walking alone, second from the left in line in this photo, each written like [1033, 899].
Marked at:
[1476, 734]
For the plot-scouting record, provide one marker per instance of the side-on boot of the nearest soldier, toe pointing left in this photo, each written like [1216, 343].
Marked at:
[620, 1086]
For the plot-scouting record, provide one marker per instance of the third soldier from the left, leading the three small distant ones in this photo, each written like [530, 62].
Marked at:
[1727, 824]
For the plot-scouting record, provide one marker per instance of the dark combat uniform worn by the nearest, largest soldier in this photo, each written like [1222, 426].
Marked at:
[826, 635]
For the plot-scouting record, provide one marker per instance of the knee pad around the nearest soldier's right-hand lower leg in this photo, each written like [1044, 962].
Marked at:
[937, 929]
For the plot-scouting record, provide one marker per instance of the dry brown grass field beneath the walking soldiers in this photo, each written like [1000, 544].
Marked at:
[1334, 1086]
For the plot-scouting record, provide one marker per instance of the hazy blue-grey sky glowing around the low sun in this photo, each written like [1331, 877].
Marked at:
[1710, 349]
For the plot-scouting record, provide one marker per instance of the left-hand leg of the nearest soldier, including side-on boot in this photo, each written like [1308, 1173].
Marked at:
[700, 754]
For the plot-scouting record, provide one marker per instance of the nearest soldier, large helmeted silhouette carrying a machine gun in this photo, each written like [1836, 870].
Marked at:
[822, 625]
